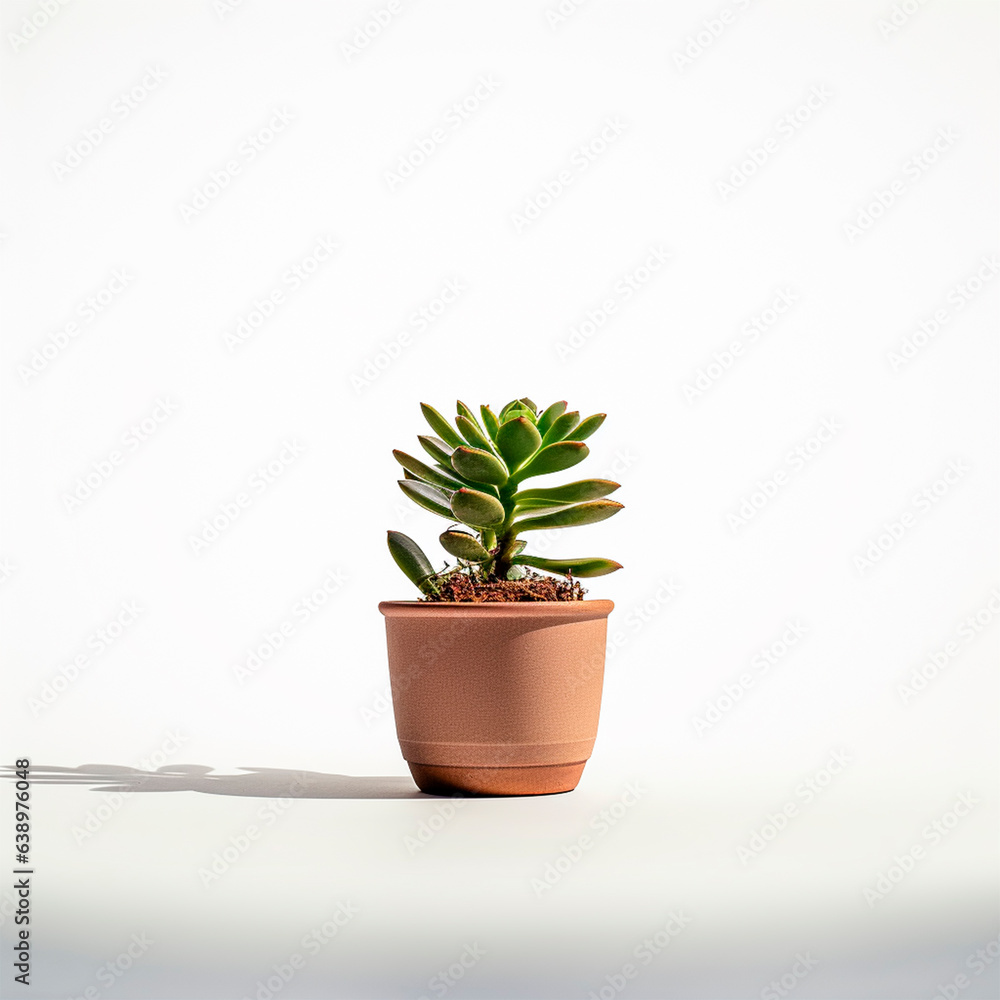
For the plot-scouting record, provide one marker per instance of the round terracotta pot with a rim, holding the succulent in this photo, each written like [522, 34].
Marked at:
[496, 698]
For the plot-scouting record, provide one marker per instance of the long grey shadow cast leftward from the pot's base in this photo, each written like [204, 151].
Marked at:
[265, 782]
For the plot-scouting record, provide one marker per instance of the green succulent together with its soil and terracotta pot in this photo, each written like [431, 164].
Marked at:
[496, 671]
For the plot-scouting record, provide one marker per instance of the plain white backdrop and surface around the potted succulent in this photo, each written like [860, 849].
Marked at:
[867, 241]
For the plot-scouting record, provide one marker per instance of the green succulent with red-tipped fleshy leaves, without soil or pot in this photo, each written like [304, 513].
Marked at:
[476, 481]
